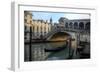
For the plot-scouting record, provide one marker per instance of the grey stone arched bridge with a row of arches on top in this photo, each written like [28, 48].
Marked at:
[79, 30]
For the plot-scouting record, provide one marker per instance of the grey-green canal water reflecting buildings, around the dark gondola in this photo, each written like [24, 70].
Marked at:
[38, 53]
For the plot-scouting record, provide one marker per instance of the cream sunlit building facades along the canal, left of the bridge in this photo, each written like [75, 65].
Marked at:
[39, 27]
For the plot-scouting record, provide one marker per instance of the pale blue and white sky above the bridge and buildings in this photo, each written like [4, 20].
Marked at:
[55, 16]
